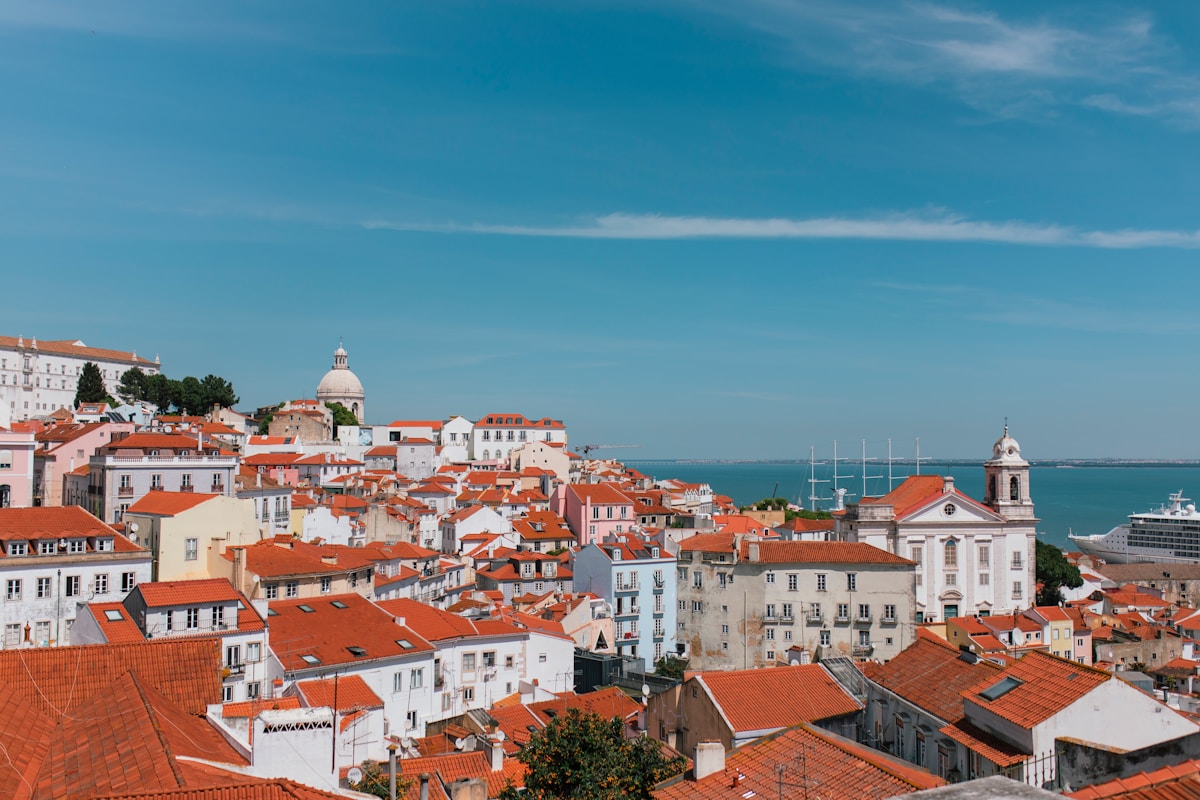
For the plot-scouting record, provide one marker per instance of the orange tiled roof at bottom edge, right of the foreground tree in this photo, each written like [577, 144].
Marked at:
[836, 768]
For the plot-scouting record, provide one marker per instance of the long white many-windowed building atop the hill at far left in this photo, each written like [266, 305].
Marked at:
[38, 378]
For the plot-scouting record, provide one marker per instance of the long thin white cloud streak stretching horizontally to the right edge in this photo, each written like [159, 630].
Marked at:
[893, 227]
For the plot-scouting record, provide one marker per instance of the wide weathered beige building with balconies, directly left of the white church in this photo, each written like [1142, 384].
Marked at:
[747, 603]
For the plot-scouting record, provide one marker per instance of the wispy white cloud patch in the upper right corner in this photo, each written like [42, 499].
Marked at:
[1108, 61]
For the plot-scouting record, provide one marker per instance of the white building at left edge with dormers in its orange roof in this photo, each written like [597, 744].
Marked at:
[56, 560]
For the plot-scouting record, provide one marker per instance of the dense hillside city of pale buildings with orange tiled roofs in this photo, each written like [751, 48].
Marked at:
[297, 598]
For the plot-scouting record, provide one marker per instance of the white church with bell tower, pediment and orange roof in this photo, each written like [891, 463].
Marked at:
[973, 558]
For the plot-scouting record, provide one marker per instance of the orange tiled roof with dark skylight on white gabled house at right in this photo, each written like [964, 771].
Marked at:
[1049, 685]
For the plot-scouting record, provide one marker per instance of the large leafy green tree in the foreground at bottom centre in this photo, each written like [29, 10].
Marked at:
[587, 757]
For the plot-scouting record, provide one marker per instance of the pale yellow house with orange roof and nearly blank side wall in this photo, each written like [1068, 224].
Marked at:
[185, 531]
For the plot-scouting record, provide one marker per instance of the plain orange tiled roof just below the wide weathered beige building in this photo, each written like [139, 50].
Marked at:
[765, 700]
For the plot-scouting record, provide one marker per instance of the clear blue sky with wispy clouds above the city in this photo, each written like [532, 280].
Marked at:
[713, 230]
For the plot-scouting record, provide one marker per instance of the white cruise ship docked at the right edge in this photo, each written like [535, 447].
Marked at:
[1169, 534]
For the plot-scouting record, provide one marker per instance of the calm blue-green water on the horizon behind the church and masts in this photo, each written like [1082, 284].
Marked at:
[1084, 500]
